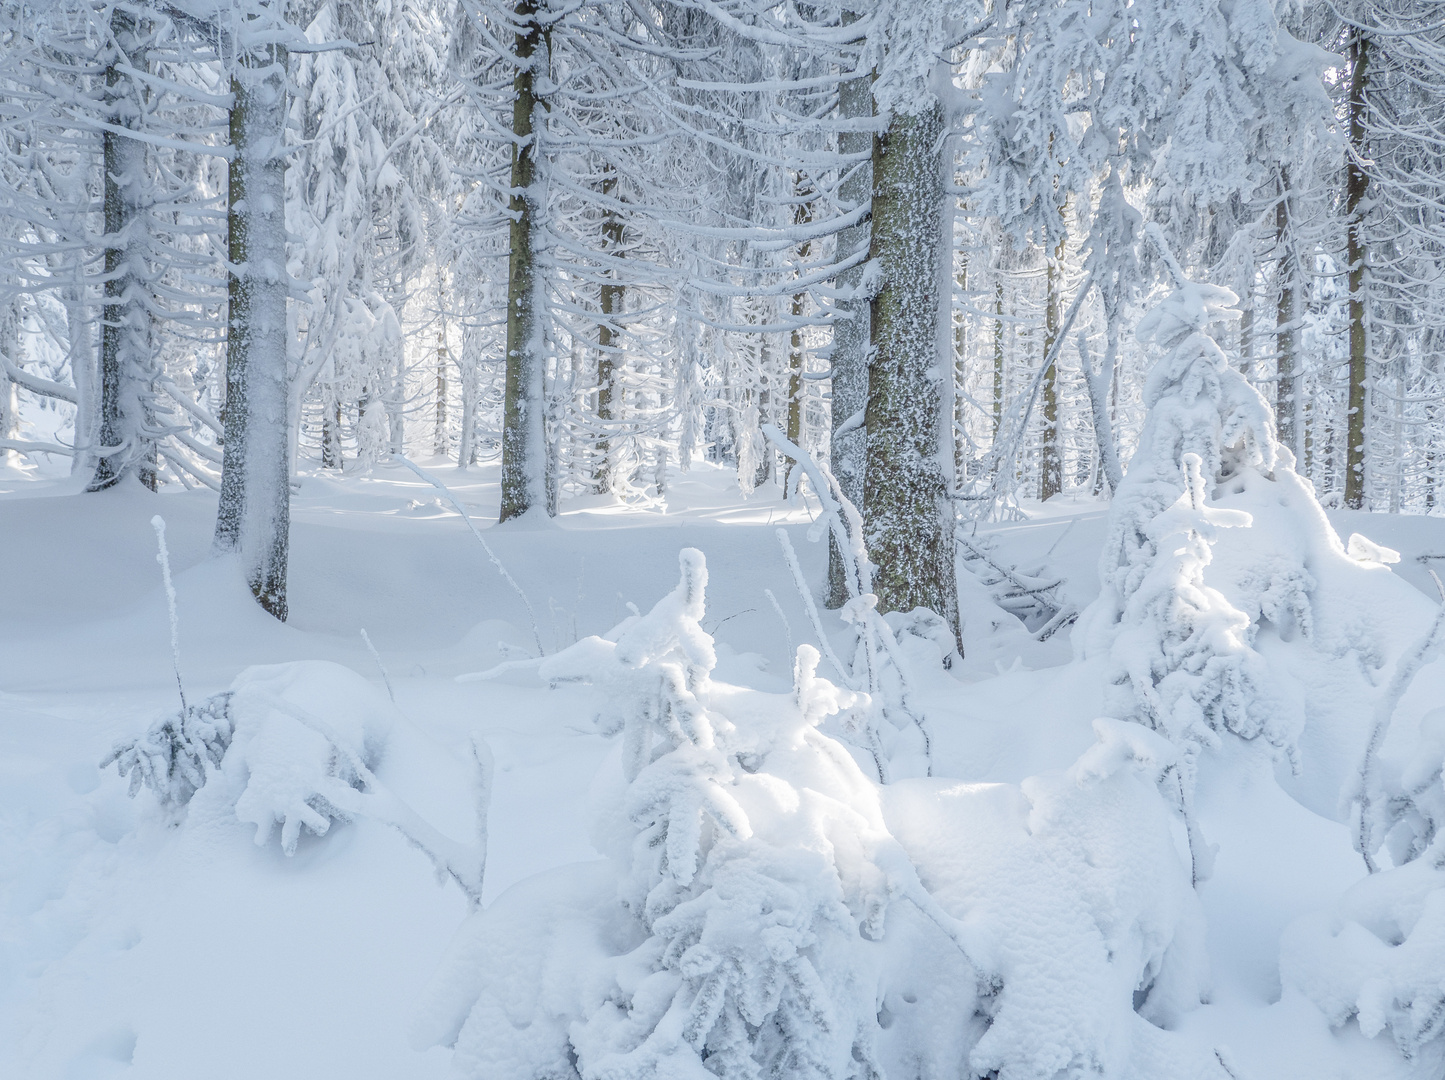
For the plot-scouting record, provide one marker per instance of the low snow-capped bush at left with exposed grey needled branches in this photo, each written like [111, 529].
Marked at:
[291, 741]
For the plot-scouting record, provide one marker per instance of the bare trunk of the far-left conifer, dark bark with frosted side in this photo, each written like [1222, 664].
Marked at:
[126, 364]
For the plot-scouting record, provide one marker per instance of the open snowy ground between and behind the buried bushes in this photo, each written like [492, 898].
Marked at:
[132, 948]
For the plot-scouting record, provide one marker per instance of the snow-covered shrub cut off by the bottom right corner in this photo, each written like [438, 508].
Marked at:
[1379, 959]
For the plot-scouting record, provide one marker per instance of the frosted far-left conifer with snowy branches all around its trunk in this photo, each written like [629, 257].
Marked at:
[111, 183]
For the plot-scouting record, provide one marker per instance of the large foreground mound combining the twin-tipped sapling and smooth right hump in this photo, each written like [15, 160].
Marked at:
[758, 917]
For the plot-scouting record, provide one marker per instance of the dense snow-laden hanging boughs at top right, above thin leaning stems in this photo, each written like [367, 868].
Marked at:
[1096, 118]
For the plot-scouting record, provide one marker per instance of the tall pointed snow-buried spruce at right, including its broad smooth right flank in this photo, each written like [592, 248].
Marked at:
[1228, 601]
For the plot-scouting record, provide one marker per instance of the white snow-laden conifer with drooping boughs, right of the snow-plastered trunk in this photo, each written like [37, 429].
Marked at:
[361, 200]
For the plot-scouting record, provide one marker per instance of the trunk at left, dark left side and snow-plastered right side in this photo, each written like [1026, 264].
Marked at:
[254, 520]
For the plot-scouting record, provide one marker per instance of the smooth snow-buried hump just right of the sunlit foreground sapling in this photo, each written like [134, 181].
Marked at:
[1077, 894]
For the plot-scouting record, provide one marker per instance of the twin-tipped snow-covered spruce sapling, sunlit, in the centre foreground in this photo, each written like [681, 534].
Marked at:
[759, 864]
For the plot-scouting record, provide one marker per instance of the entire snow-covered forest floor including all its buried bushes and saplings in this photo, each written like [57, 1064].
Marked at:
[691, 864]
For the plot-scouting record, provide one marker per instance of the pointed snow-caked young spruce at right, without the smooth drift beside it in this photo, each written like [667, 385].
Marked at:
[1183, 653]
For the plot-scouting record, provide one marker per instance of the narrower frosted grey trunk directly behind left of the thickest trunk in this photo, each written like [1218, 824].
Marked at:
[850, 330]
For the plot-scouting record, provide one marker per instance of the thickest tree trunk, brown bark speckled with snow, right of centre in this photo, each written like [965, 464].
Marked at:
[908, 517]
